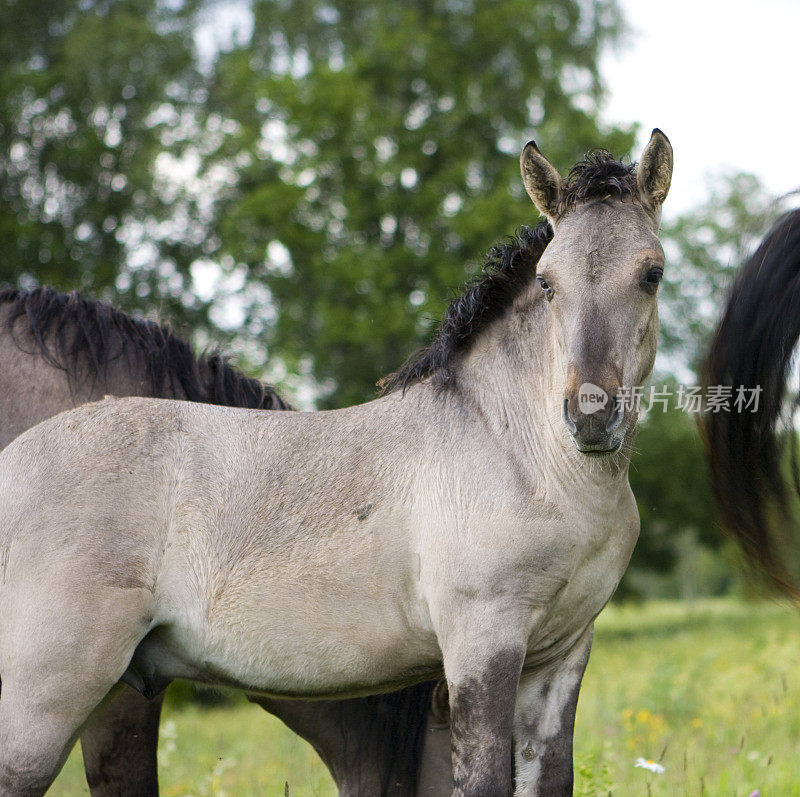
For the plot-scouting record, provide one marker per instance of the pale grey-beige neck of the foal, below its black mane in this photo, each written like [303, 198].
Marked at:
[516, 377]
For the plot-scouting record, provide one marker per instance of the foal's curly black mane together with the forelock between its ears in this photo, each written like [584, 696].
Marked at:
[508, 270]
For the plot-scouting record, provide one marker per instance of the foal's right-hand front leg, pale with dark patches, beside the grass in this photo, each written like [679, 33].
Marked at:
[544, 722]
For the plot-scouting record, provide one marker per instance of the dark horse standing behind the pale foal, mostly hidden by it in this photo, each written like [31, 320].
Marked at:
[58, 351]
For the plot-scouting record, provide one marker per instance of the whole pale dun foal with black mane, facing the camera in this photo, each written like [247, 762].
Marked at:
[472, 521]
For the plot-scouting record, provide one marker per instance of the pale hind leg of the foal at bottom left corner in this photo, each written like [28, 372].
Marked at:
[60, 656]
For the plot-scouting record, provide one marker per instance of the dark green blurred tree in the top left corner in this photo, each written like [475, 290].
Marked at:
[92, 93]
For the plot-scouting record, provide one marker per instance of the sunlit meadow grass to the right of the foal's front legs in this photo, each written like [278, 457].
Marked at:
[710, 689]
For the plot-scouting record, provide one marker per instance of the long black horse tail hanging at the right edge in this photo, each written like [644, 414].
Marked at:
[752, 351]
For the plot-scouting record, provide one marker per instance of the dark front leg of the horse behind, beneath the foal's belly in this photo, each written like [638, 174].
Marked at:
[371, 745]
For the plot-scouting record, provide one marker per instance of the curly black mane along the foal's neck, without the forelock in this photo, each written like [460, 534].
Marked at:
[508, 270]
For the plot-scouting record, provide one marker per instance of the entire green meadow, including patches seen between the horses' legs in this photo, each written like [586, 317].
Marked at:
[710, 689]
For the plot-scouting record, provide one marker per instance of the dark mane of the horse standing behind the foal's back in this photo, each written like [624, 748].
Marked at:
[70, 330]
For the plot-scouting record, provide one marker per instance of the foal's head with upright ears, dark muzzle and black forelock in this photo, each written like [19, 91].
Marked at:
[600, 274]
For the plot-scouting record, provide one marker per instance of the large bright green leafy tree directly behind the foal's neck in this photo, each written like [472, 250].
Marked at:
[382, 144]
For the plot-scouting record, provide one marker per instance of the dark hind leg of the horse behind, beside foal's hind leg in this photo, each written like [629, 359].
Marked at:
[120, 745]
